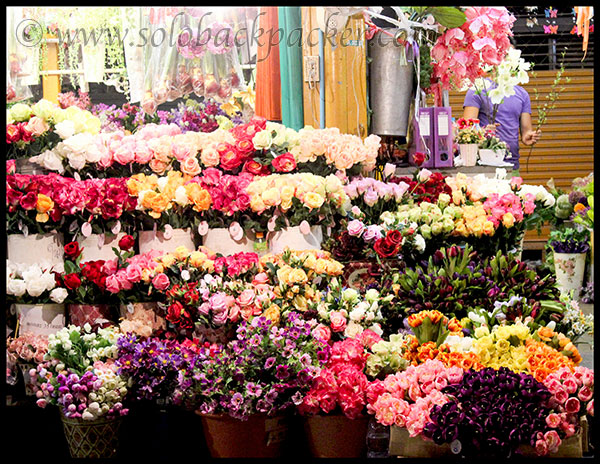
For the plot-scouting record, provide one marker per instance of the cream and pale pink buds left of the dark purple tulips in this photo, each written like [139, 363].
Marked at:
[345, 313]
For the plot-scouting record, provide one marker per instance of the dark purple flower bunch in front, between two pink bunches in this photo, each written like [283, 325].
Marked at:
[491, 413]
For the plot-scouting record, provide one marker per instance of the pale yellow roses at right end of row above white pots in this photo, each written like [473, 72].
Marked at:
[288, 200]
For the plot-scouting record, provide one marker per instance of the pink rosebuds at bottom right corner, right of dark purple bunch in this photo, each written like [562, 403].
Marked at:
[572, 398]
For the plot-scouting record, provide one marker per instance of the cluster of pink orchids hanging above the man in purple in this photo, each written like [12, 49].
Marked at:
[462, 54]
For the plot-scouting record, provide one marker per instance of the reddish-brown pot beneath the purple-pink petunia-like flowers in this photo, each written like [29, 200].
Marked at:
[258, 437]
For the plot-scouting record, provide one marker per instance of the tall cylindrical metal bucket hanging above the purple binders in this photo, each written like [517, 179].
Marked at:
[390, 85]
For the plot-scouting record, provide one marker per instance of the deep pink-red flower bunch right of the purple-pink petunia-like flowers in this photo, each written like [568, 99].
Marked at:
[341, 383]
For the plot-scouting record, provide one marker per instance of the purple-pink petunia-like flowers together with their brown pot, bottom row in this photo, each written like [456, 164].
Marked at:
[244, 390]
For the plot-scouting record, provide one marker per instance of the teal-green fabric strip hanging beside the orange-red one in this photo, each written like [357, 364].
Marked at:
[290, 63]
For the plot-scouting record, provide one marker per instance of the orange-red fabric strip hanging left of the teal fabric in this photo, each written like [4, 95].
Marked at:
[268, 80]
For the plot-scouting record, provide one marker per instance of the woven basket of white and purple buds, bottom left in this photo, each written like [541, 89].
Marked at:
[79, 376]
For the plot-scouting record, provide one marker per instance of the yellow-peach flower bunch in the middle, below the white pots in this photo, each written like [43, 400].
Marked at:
[298, 278]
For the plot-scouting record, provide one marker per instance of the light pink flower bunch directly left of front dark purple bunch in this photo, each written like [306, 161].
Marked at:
[405, 398]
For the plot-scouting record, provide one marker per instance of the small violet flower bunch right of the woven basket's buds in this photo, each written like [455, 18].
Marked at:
[151, 365]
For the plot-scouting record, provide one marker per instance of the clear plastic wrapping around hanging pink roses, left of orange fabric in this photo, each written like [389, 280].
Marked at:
[188, 51]
